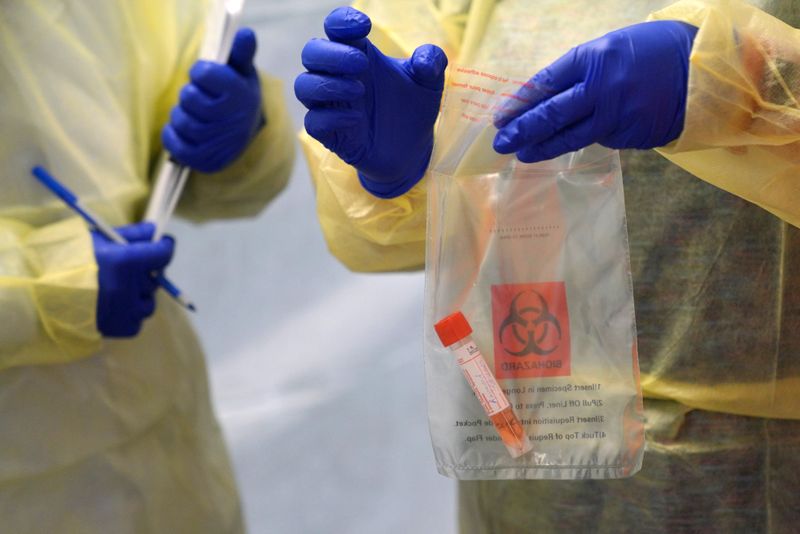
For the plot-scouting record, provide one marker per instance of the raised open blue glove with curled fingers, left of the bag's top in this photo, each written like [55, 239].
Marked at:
[375, 112]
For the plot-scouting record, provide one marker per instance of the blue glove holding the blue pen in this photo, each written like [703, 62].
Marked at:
[126, 278]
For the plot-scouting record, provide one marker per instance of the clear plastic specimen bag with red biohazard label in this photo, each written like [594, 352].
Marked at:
[536, 258]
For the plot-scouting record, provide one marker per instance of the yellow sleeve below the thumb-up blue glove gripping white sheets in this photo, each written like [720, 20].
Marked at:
[256, 177]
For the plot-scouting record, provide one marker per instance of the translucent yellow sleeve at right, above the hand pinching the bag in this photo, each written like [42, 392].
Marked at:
[742, 130]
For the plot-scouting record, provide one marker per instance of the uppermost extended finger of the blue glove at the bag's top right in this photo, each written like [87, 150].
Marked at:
[559, 76]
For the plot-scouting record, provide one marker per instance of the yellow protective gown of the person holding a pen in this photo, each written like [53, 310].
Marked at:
[106, 435]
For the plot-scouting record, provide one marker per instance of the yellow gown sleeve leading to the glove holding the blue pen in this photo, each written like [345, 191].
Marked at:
[48, 293]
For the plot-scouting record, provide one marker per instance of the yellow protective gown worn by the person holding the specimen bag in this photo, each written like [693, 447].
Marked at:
[716, 277]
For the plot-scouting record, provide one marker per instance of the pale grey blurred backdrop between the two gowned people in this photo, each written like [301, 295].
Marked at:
[317, 373]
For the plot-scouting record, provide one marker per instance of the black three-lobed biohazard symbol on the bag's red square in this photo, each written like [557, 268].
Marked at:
[530, 325]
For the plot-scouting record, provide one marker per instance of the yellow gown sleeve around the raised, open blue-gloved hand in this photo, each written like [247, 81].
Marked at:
[364, 232]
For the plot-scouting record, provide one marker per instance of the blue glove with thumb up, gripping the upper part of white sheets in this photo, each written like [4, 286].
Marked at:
[219, 111]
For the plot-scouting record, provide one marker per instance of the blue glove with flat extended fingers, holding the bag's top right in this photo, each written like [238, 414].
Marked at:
[626, 89]
